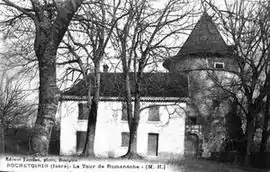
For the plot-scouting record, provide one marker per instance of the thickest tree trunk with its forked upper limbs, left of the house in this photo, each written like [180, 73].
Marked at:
[49, 34]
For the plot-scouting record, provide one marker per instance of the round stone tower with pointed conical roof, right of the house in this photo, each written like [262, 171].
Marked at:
[205, 57]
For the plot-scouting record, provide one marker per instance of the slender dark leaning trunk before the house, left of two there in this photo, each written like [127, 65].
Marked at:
[92, 119]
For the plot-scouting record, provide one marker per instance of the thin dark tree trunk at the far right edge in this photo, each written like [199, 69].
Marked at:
[265, 134]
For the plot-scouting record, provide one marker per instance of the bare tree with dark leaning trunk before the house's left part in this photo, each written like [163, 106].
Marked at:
[87, 42]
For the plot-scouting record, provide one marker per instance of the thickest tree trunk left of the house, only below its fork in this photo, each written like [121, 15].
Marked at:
[48, 101]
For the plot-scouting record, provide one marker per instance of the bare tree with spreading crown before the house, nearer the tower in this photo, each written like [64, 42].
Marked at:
[141, 40]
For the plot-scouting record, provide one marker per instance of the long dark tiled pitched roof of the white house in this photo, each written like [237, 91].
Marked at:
[152, 85]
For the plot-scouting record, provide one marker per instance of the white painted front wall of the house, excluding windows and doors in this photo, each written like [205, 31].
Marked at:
[171, 129]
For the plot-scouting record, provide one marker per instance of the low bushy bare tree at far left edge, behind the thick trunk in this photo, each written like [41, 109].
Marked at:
[13, 107]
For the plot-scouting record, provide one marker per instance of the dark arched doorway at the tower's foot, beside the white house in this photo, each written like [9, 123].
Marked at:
[191, 145]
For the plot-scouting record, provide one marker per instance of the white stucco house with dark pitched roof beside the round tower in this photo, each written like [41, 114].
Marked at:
[161, 130]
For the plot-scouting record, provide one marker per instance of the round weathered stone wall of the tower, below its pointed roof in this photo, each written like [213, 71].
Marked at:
[208, 102]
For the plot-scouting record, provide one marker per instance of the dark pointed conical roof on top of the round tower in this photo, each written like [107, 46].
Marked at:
[205, 37]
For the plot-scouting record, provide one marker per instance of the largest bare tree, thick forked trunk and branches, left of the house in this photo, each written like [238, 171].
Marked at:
[50, 20]
